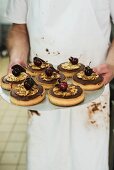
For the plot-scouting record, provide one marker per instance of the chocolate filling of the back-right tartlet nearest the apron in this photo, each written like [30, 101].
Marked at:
[59, 67]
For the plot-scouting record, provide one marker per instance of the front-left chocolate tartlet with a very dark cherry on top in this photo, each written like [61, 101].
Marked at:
[28, 93]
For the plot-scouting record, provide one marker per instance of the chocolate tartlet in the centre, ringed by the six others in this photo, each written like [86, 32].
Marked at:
[49, 77]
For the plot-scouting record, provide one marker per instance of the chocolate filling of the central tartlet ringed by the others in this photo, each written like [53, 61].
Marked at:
[53, 81]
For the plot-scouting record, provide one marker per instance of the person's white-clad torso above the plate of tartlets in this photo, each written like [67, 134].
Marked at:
[60, 29]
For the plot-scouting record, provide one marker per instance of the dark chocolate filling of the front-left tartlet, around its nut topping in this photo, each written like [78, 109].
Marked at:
[27, 98]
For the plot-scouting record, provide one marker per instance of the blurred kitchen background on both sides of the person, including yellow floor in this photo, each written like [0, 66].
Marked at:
[13, 120]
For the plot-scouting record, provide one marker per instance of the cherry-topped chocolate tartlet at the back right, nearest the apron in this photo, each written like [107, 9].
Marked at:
[71, 67]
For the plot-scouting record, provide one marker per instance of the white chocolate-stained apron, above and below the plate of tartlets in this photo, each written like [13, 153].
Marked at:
[70, 138]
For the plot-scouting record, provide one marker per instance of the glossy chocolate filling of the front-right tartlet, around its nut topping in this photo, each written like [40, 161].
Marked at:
[79, 92]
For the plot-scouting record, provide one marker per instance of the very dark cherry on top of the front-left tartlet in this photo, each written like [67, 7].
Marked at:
[28, 83]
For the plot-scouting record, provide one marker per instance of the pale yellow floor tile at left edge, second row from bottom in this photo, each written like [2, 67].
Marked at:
[10, 158]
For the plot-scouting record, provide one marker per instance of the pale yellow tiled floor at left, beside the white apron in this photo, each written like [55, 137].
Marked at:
[13, 124]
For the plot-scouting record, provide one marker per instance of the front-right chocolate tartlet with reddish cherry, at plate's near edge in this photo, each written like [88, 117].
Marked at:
[65, 94]
